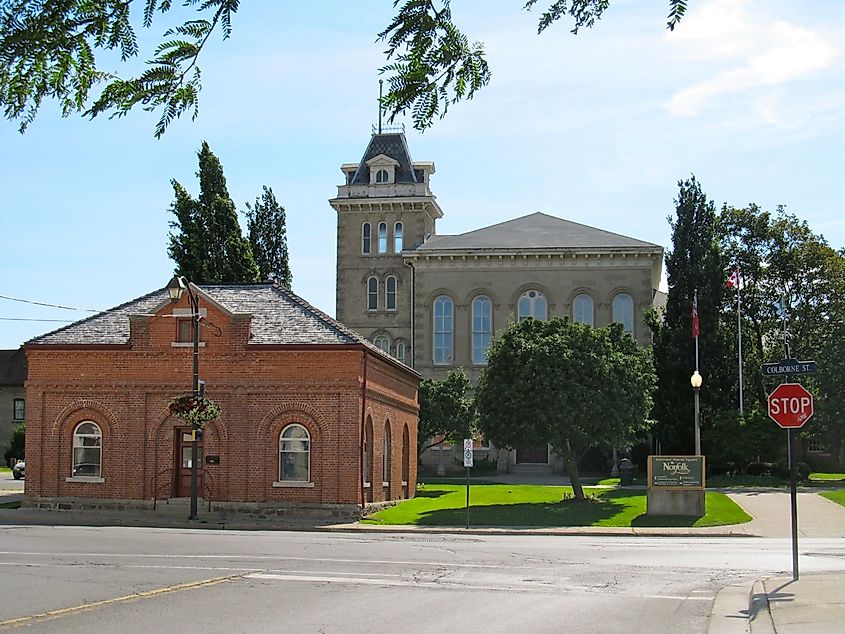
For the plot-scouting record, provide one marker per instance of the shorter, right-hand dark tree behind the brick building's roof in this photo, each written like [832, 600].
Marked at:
[268, 238]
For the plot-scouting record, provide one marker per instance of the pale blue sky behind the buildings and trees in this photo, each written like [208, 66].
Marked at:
[598, 128]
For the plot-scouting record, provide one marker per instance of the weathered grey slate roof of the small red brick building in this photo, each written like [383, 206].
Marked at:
[279, 317]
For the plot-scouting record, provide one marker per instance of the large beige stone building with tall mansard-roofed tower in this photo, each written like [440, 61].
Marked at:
[436, 301]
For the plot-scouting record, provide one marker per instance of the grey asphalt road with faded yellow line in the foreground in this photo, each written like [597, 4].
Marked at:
[72, 579]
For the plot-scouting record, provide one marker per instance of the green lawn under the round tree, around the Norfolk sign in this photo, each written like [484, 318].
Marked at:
[530, 505]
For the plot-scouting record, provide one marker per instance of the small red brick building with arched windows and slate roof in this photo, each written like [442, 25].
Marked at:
[311, 413]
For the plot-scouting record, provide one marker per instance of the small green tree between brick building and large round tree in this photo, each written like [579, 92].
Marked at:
[446, 411]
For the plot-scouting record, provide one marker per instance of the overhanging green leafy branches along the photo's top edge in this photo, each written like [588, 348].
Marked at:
[47, 51]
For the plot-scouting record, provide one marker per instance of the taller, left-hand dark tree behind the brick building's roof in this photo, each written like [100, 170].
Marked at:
[206, 243]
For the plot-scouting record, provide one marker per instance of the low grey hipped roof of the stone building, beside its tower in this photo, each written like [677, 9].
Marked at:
[534, 231]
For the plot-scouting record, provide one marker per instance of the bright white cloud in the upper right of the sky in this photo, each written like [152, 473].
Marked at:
[751, 55]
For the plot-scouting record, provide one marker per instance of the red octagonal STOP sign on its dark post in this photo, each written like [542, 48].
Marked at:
[790, 406]
